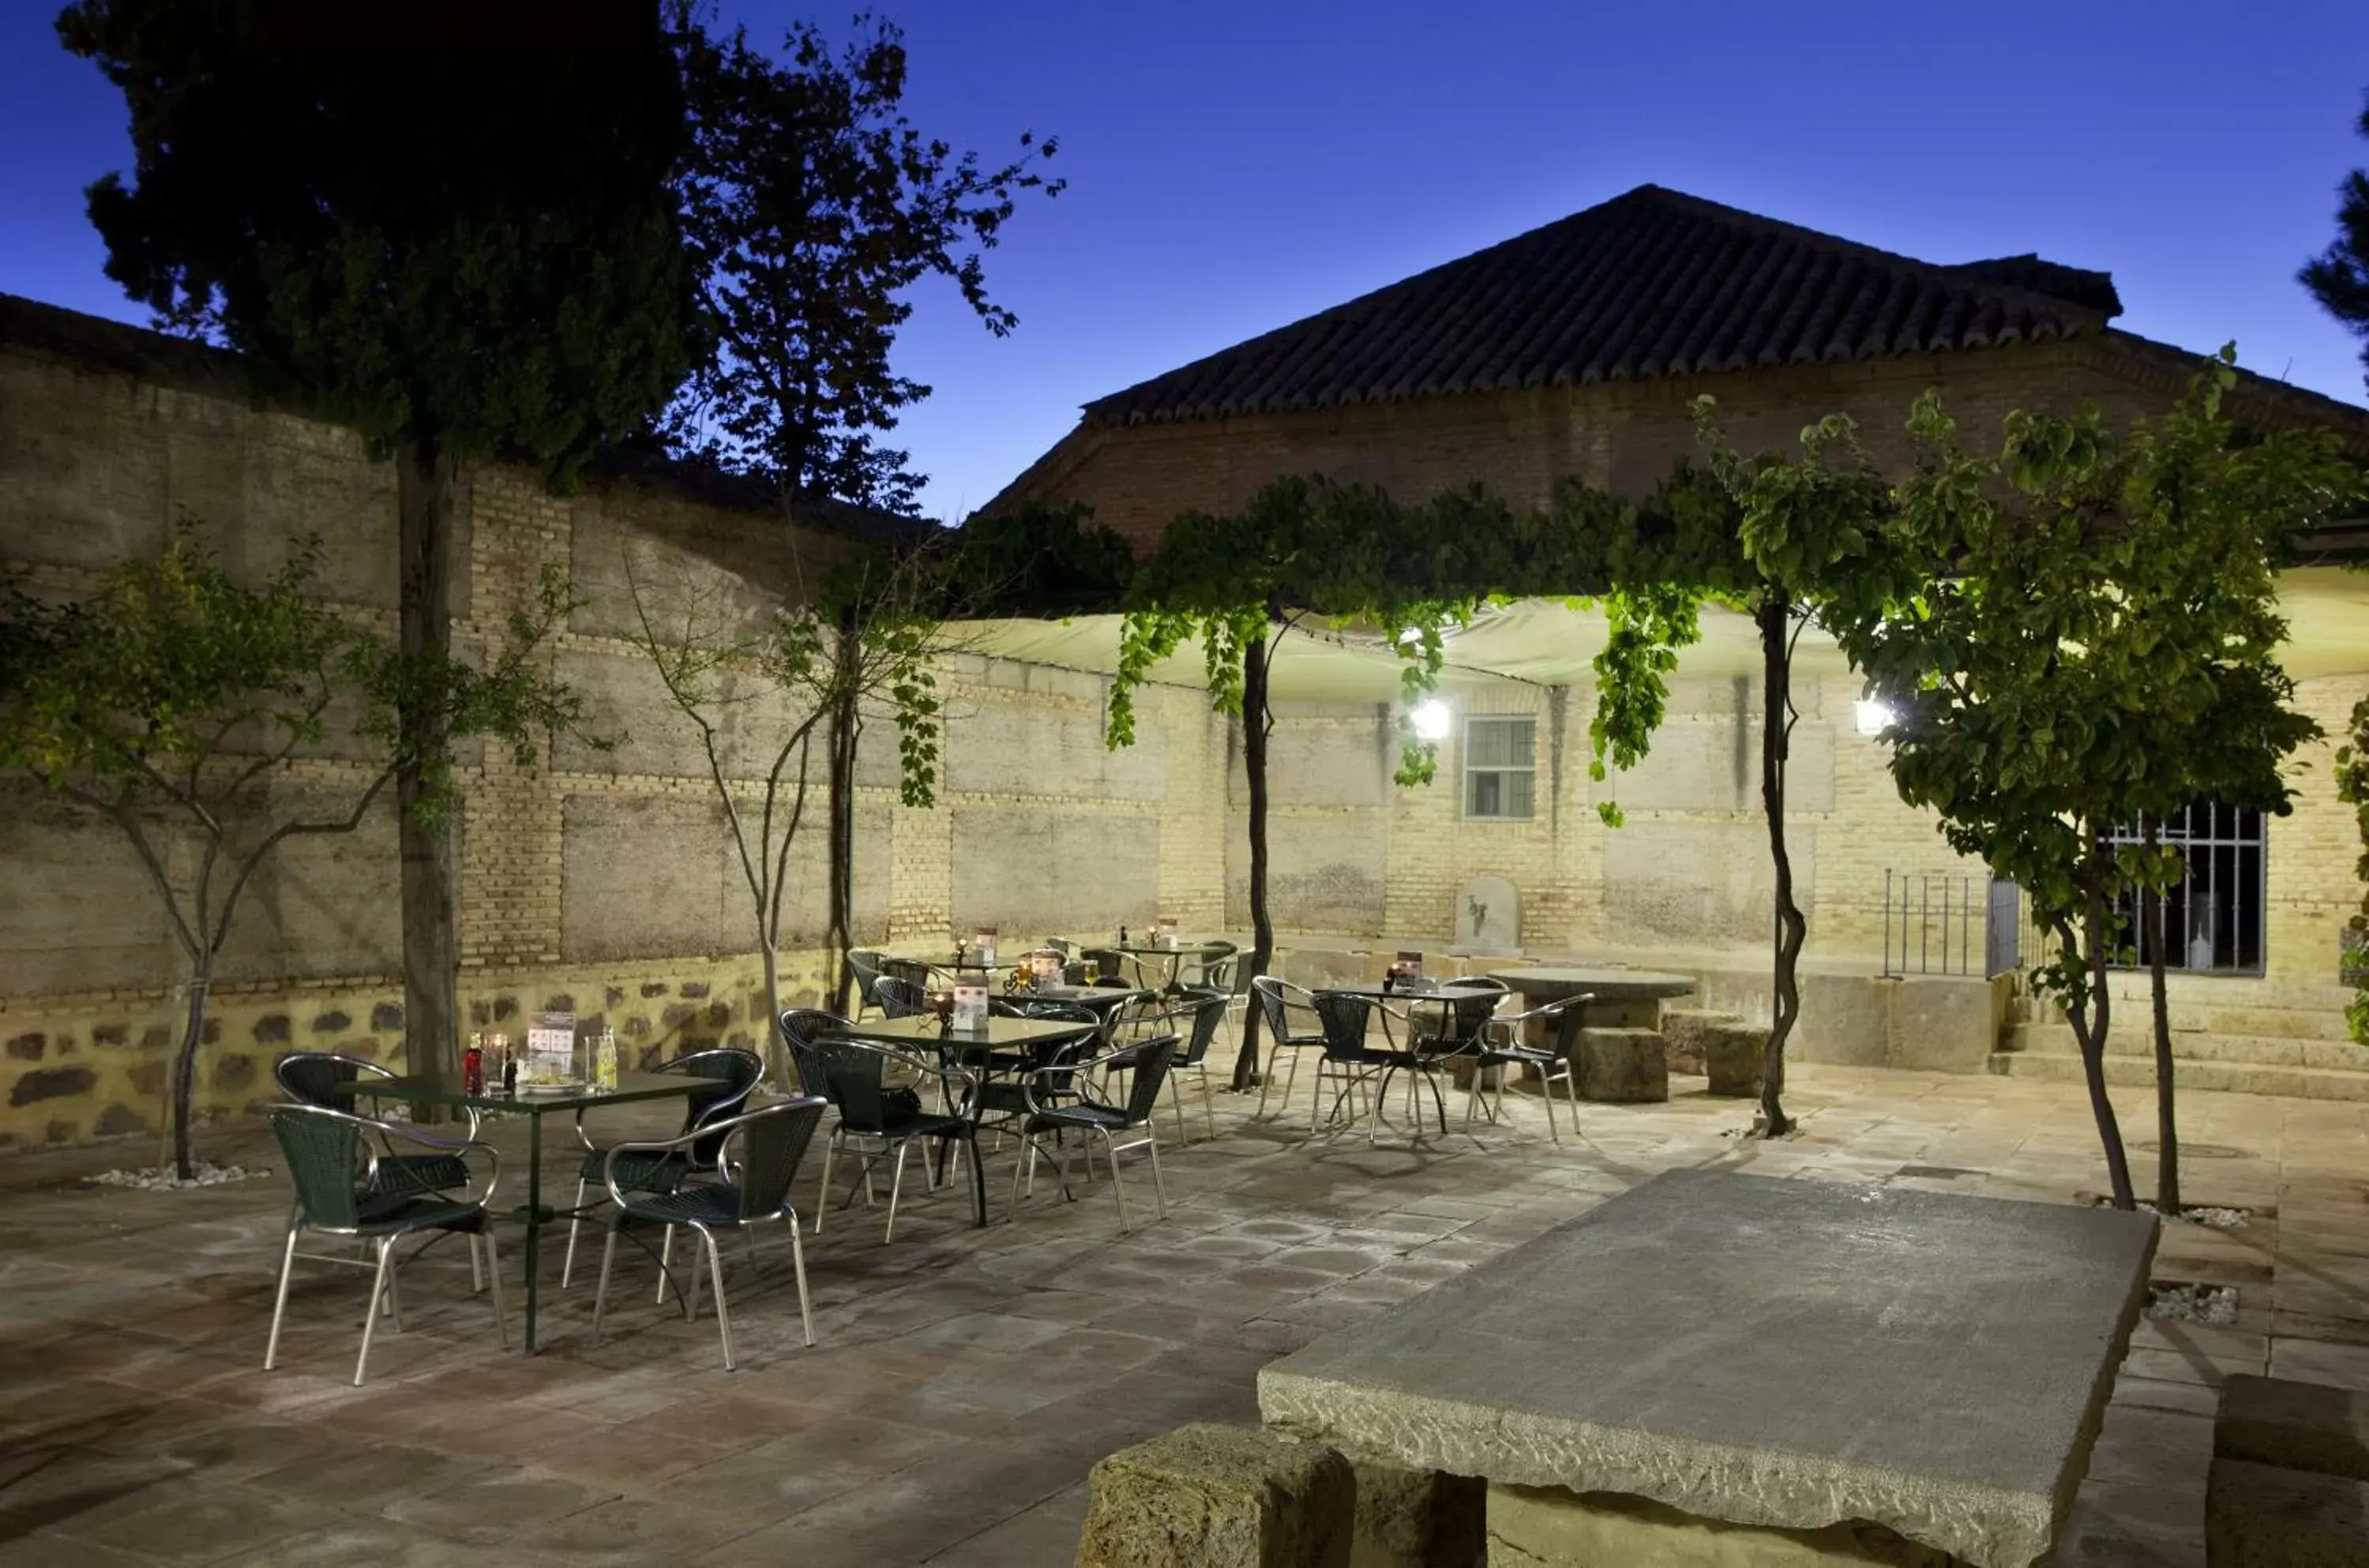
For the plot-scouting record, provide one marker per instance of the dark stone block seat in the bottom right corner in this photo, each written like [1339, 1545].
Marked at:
[2290, 1482]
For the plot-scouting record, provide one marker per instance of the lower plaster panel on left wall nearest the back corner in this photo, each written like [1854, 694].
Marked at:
[1032, 870]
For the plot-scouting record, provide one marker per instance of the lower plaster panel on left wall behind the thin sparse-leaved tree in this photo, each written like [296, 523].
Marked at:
[660, 878]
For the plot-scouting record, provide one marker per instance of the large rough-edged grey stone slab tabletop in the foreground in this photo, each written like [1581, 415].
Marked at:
[1780, 1354]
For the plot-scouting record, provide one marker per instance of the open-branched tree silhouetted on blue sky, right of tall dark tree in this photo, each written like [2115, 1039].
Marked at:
[814, 207]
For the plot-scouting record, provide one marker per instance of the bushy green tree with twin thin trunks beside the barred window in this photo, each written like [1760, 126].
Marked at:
[2074, 634]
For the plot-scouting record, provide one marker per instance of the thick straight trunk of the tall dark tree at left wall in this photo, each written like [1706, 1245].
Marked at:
[425, 484]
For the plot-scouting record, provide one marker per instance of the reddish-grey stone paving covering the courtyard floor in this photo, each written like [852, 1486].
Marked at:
[965, 1380]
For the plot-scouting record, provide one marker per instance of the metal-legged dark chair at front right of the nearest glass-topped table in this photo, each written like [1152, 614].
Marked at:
[762, 1155]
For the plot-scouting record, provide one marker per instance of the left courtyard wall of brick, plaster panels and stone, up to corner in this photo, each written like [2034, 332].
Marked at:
[598, 880]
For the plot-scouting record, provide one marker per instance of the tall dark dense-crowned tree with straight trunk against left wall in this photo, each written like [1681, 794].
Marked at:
[454, 236]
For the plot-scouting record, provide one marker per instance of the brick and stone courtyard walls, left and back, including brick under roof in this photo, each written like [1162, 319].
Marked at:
[603, 880]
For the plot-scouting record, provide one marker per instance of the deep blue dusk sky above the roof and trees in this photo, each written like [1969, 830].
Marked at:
[1235, 167]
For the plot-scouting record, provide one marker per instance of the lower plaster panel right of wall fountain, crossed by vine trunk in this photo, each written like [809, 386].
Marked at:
[1697, 882]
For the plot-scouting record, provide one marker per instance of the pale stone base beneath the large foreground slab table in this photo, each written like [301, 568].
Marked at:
[1555, 1529]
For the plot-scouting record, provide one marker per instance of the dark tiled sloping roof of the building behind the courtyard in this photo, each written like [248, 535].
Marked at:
[1652, 283]
